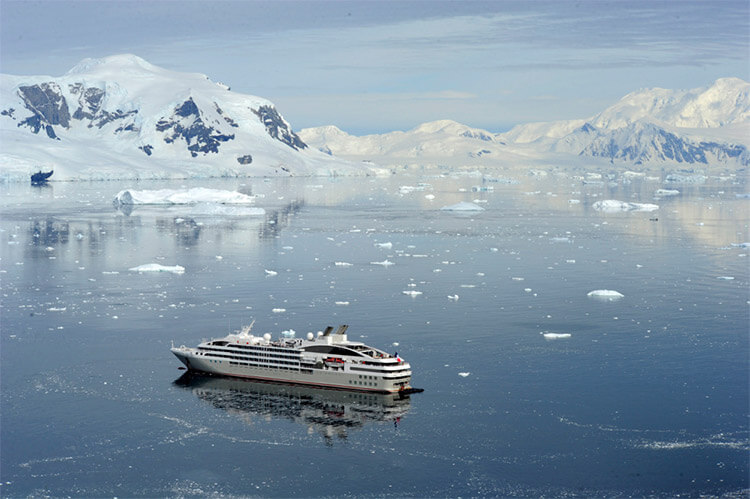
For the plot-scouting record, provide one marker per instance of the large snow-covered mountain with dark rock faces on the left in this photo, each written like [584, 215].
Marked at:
[121, 117]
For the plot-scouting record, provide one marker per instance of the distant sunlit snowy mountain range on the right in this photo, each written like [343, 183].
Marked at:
[703, 128]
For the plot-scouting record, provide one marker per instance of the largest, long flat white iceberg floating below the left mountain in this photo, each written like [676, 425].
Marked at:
[181, 196]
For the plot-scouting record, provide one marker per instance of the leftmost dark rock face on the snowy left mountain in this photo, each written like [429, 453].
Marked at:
[48, 106]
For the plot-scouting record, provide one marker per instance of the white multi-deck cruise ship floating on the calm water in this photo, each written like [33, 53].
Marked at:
[327, 360]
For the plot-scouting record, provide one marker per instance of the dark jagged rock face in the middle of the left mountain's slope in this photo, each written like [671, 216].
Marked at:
[187, 124]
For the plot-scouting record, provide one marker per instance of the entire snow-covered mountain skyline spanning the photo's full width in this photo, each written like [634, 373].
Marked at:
[122, 117]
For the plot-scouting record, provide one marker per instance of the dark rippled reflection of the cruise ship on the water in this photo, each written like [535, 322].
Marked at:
[332, 413]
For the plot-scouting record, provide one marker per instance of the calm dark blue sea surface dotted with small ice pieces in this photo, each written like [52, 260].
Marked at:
[648, 395]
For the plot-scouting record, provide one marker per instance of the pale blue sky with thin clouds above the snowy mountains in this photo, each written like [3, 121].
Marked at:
[374, 67]
